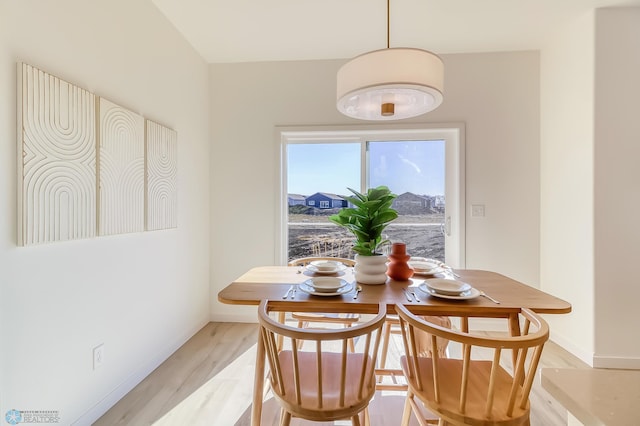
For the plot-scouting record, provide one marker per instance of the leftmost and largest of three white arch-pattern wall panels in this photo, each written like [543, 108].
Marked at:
[56, 159]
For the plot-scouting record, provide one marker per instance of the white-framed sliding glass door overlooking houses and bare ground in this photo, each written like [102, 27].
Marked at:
[422, 165]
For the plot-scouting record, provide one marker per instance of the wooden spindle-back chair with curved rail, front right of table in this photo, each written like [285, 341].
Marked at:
[480, 386]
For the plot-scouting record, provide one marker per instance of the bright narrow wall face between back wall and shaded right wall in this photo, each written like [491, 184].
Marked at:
[566, 162]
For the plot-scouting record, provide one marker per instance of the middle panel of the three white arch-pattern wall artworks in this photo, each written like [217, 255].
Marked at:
[121, 170]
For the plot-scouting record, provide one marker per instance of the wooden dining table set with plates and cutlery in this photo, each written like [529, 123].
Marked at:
[272, 282]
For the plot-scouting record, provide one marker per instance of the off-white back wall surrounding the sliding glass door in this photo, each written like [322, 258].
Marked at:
[496, 95]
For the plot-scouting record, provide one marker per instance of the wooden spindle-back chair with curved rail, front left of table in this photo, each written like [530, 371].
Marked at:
[321, 379]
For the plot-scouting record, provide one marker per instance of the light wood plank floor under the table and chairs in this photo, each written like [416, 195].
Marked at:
[209, 381]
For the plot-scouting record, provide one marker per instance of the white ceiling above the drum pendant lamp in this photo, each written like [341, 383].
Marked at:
[283, 30]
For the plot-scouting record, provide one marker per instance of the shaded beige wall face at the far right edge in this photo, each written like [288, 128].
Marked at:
[617, 187]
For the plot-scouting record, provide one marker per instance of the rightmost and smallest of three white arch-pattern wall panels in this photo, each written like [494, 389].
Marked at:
[162, 177]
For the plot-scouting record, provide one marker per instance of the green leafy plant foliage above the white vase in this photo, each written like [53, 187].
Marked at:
[366, 221]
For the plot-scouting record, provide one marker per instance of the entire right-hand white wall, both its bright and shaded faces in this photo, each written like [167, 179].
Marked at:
[589, 184]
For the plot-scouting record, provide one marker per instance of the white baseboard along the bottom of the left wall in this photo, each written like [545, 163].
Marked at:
[95, 412]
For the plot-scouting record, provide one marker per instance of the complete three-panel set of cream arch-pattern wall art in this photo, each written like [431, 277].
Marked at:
[87, 166]
